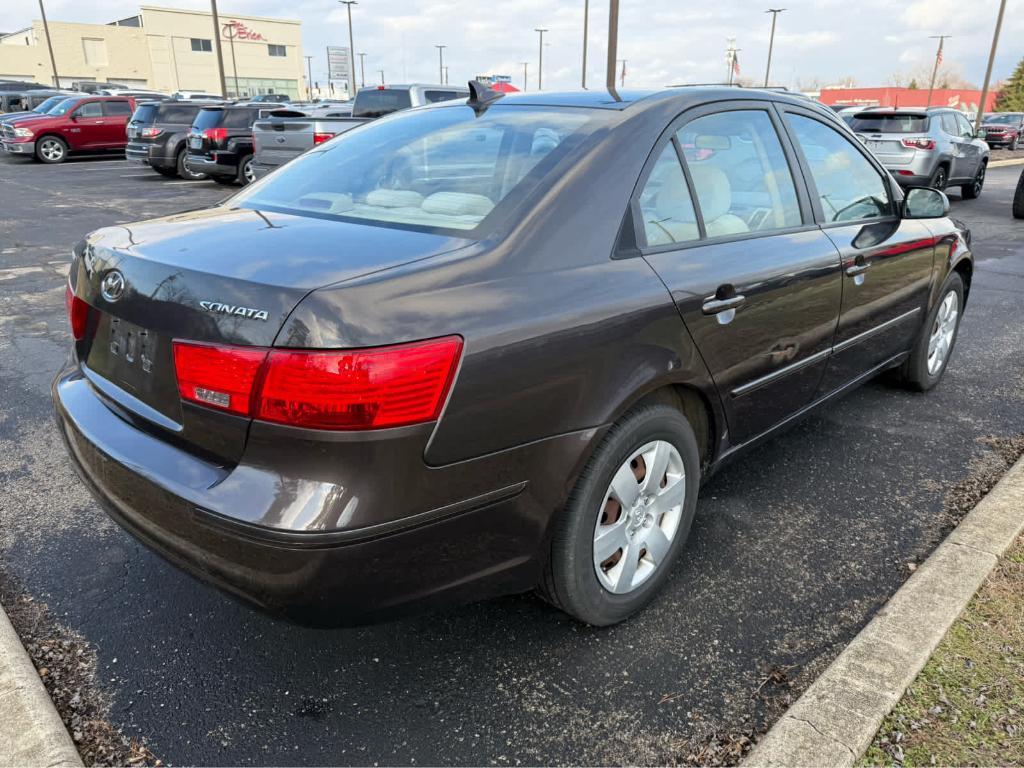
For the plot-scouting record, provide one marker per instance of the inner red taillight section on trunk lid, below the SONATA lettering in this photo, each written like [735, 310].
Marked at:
[222, 377]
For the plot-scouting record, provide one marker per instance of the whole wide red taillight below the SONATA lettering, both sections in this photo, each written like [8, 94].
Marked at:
[322, 390]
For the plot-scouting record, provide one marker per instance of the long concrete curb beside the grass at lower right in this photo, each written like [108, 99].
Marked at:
[836, 720]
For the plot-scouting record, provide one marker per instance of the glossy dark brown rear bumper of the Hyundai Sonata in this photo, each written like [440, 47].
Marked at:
[296, 563]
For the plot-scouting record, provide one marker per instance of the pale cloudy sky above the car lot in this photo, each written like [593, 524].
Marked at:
[664, 41]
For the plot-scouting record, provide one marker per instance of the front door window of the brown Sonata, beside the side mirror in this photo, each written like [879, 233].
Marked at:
[849, 187]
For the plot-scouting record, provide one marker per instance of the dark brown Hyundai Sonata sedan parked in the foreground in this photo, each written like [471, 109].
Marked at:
[493, 346]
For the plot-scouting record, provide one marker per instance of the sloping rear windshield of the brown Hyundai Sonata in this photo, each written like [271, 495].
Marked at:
[443, 168]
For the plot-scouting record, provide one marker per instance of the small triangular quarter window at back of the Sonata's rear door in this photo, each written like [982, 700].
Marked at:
[666, 205]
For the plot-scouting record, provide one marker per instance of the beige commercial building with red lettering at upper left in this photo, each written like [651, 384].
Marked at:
[165, 50]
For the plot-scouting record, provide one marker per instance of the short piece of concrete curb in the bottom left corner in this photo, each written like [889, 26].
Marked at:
[31, 732]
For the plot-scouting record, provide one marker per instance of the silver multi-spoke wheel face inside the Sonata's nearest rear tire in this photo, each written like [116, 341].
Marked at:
[639, 518]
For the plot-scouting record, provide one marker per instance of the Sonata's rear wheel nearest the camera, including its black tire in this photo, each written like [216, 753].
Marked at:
[614, 545]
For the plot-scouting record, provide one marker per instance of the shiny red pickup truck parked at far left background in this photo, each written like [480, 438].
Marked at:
[87, 124]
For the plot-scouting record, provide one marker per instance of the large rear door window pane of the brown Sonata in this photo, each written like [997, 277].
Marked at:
[740, 173]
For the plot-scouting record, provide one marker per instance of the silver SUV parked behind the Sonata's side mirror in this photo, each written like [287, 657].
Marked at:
[926, 148]
